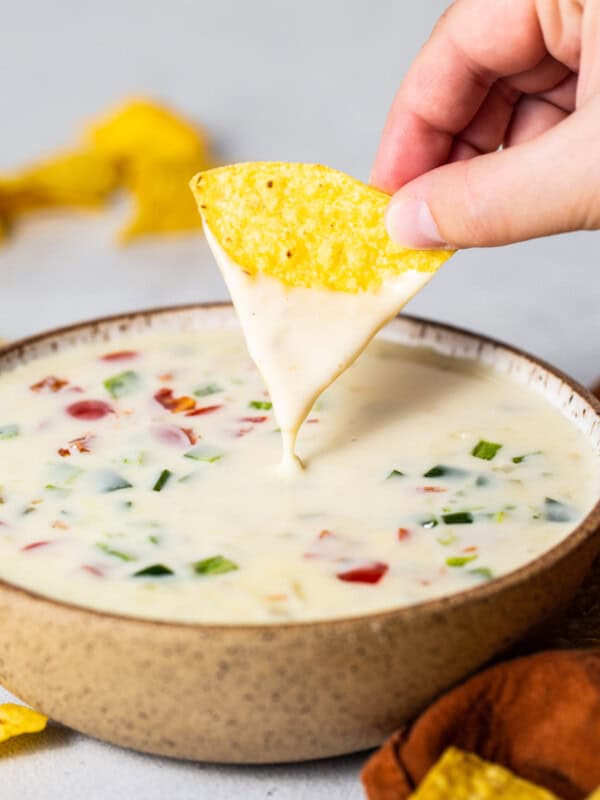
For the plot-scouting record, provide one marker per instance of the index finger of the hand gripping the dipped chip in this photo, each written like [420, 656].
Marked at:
[474, 43]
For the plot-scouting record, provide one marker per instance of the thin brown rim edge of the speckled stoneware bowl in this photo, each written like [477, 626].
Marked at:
[586, 528]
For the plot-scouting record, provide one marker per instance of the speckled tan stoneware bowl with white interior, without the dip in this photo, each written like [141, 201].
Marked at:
[281, 692]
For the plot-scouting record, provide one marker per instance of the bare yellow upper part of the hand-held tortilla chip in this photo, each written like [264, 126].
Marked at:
[306, 224]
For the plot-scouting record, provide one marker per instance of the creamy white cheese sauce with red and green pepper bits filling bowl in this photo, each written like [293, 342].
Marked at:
[141, 477]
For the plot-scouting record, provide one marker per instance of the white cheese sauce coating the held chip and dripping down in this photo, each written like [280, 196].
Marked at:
[301, 339]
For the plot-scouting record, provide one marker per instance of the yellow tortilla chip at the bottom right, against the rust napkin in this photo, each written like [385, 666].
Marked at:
[464, 776]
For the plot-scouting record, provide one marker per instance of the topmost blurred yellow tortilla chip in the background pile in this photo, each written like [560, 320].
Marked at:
[143, 129]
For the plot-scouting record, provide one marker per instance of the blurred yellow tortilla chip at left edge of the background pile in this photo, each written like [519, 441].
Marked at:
[78, 178]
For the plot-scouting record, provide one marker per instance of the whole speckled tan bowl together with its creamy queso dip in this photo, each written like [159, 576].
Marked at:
[166, 587]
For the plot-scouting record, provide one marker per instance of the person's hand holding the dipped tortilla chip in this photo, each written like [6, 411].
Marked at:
[524, 74]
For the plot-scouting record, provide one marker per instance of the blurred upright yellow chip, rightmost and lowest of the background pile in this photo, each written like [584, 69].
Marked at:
[161, 197]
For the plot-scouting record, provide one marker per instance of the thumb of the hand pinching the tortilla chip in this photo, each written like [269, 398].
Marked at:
[547, 185]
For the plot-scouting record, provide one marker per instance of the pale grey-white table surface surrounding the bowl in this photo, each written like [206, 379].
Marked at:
[307, 81]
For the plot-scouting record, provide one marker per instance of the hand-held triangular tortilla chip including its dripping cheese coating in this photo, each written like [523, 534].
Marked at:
[311, 271]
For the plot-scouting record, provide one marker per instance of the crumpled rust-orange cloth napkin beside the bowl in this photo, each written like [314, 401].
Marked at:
[539, 716]
